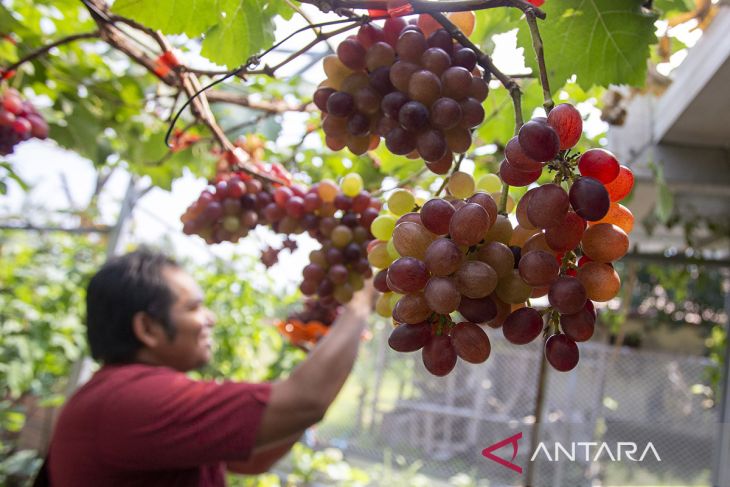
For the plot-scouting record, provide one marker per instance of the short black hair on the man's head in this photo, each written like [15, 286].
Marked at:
[123, 287]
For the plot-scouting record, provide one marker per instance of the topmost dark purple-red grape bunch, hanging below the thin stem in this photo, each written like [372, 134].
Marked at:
[410, 84]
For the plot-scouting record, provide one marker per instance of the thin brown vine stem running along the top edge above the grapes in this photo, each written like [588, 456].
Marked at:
[421, 6]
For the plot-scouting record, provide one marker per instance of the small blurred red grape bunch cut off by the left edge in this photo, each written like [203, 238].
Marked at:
[19, 121]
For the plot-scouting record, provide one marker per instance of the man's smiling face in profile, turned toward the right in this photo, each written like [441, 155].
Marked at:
[192, 321]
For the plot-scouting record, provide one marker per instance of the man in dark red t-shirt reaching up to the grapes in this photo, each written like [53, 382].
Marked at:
[141, 421]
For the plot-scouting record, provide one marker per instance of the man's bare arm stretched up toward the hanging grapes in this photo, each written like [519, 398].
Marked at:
[303, 398]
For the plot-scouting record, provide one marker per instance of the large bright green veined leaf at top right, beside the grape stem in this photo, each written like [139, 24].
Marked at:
[602, 42]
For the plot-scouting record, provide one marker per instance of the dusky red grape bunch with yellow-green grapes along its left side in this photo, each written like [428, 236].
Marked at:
[442, 259]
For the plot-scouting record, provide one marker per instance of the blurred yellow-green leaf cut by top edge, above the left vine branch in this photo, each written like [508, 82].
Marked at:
[191, 17]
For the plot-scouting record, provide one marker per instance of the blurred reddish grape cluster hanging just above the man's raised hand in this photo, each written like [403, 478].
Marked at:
[338, 217]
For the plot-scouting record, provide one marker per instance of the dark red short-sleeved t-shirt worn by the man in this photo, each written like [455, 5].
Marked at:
[144, 425]
